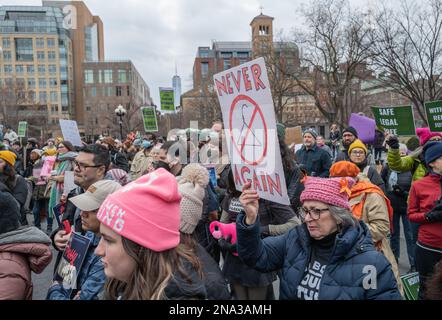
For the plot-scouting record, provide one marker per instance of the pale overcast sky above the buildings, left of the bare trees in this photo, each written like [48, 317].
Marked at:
[156, 34]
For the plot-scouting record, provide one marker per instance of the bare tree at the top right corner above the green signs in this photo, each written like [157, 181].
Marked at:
[407, 50]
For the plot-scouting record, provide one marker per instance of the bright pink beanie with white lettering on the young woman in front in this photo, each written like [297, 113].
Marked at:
[146, 211]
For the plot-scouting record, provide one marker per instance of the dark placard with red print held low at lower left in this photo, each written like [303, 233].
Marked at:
[70, 264]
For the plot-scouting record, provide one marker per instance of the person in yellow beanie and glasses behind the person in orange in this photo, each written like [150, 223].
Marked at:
[358, 153]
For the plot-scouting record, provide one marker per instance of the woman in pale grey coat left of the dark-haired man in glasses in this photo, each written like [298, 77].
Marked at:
[64, 162]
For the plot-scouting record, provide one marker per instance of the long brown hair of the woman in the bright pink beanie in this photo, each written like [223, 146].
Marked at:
[152, 273]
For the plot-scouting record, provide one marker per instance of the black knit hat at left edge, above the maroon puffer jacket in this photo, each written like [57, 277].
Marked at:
[9, 213]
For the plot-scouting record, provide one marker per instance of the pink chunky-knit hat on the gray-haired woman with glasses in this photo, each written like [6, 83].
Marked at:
[334, 191]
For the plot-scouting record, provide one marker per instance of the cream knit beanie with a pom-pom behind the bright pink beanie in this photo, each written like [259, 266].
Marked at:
[191, 185]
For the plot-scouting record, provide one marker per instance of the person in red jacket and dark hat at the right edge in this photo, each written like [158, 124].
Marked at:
[425, 208]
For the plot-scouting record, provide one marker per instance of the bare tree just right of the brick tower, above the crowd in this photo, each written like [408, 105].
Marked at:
[335, 49]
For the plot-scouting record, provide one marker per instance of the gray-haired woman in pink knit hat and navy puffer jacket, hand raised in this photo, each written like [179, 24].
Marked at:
[329, 257]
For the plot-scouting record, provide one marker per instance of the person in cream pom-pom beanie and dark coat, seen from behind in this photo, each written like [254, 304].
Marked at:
[191, 186]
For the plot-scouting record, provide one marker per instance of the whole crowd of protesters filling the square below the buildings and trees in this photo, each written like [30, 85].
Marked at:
[147, 207]
